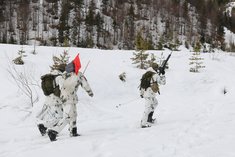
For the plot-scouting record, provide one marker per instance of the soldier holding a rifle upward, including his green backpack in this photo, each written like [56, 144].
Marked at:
[148, 90]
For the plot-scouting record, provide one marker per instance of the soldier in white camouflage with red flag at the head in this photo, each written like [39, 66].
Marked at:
[72, 80]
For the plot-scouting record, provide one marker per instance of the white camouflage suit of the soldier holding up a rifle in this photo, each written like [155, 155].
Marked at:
[150, 97]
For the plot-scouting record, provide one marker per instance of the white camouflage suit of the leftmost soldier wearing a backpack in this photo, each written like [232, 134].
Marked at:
[52, 110]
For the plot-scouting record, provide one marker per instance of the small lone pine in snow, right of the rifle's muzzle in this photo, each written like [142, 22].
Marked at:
[195, 59]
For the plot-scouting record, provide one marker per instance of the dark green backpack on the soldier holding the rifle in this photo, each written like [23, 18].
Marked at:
[145, 82]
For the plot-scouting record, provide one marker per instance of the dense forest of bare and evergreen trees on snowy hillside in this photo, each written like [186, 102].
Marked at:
[116, 24]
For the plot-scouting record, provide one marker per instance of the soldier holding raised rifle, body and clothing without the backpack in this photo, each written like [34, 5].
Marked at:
[149, 94]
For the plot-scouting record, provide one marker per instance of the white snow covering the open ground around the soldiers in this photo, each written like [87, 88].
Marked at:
[194, 117]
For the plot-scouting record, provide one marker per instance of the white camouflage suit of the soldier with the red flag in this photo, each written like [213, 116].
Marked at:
[70, 84]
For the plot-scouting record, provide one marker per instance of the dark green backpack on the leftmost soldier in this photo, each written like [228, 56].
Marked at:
[49, 86]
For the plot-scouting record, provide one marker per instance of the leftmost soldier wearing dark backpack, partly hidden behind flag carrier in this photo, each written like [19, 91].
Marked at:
[52, 110]
